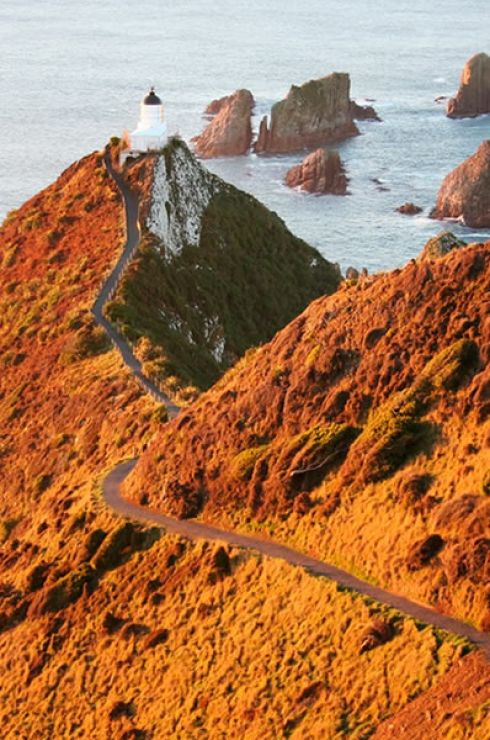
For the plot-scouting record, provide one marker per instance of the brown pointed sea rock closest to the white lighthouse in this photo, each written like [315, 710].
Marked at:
[230, 132]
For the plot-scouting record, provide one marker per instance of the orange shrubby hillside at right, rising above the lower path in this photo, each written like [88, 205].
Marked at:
[361, 433]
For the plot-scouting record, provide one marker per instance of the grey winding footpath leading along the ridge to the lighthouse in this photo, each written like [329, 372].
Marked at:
[193, 529]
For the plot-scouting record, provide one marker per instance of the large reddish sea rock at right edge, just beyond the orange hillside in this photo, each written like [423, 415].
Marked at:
[465, 192]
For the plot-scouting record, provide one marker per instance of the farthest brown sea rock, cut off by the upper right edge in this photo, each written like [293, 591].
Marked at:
[473, 96]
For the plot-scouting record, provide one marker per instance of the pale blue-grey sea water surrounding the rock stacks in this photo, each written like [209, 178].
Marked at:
[72, 74]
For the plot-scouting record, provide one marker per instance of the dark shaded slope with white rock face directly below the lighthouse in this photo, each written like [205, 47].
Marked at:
[242, 278]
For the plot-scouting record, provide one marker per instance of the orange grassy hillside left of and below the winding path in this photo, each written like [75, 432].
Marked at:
[113, 630]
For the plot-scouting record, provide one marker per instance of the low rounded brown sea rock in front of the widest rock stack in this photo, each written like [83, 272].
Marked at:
[320, 172]
